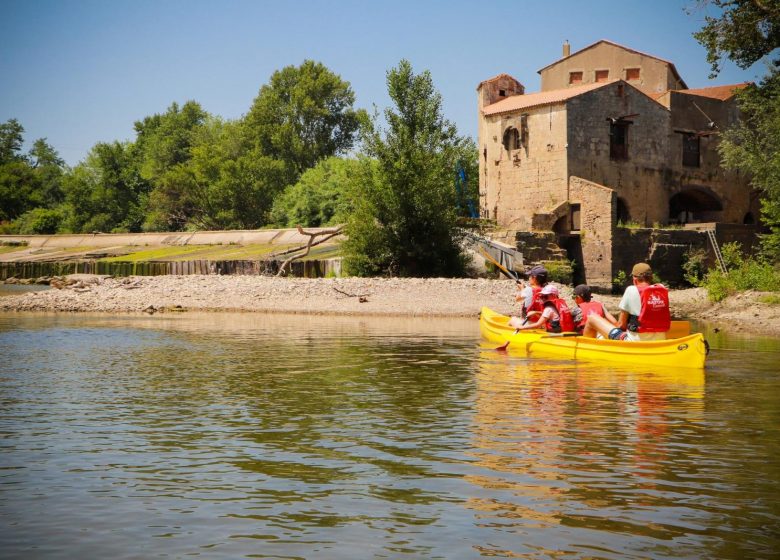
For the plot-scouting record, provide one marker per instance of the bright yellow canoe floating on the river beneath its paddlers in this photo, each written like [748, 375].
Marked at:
[685, 351]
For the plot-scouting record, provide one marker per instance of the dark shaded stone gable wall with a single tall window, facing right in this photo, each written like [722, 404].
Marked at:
[639, 180]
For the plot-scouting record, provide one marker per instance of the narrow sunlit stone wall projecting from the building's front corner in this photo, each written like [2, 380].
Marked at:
[597, 219]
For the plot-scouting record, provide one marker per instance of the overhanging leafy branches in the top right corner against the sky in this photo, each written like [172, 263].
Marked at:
[744, 32]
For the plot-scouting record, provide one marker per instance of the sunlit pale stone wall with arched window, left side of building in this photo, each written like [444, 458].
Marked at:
[515, 184]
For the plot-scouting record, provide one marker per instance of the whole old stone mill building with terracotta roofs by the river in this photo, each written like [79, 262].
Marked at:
[614, 137]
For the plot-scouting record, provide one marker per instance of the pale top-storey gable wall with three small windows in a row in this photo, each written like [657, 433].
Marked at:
[655, 76]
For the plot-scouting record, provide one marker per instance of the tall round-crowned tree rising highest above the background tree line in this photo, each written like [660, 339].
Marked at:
[303, 115]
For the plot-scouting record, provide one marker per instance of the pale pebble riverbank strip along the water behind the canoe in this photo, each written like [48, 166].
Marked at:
[348, 296]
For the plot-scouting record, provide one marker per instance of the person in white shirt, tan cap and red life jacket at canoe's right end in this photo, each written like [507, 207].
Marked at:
[644, 311]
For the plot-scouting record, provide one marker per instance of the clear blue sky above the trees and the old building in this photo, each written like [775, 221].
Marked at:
[82, 71]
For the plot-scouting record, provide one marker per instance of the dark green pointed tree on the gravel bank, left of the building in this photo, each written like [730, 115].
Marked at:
[404, 221]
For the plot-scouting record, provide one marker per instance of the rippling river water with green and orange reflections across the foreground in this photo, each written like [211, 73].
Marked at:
[246, 435]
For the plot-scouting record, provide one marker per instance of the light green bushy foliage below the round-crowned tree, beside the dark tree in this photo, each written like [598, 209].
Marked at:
[320, 197]
